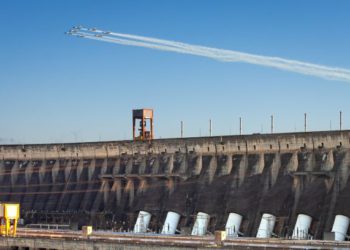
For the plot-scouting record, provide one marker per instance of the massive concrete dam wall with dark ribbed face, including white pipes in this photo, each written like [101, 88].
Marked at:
[266, 185]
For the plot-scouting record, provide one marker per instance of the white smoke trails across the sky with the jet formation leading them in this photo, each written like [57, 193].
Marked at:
[321, 71]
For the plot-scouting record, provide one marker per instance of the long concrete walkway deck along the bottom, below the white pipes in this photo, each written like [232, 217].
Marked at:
[65, 239]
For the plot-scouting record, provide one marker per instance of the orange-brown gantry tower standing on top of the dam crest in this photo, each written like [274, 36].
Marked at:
[142, 120]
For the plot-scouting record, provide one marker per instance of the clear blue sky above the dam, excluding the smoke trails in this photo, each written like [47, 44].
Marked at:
[57, 88]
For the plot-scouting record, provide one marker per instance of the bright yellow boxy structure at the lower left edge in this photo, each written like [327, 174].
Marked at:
[9, 215]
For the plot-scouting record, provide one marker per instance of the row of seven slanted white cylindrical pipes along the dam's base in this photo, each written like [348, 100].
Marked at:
[265, 230]
